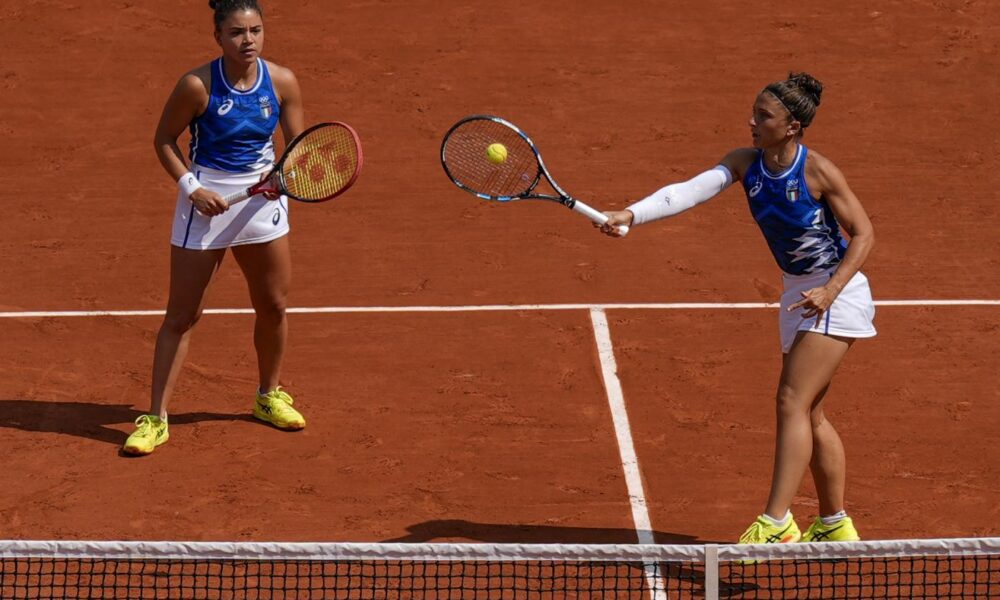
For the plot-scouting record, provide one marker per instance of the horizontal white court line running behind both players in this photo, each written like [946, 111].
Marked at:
[477, 308]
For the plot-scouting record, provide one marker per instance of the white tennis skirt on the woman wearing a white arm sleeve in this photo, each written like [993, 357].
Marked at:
[851, 314]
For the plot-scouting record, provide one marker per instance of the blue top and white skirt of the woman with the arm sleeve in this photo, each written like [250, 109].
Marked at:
[804, 237]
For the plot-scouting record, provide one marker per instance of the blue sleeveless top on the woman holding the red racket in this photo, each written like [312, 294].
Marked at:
[235, 132]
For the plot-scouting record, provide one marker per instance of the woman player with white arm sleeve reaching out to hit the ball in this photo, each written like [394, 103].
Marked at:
[801, 201]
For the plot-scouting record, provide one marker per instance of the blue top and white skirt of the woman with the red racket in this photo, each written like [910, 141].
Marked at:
[231, 148]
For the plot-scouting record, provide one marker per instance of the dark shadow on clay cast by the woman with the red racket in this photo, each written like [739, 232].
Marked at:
[88, 420]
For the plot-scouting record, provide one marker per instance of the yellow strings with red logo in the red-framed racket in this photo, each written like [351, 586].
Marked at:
[321, 164]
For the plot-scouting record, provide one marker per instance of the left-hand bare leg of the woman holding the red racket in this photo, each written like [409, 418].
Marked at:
[191, 272]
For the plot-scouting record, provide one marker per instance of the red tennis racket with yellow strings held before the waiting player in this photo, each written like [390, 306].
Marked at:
[319, 164]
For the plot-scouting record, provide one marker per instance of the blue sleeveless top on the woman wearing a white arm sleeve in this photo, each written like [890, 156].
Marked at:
[802, 232]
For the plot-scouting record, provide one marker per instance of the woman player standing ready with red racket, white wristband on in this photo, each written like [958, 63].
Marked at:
[232, 106]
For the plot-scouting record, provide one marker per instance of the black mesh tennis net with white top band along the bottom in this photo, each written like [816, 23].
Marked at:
[942, 568]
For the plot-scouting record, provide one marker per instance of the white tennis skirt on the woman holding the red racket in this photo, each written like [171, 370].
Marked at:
[252, 221]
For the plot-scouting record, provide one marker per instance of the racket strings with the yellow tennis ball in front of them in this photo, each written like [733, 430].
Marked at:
[467, 162]
